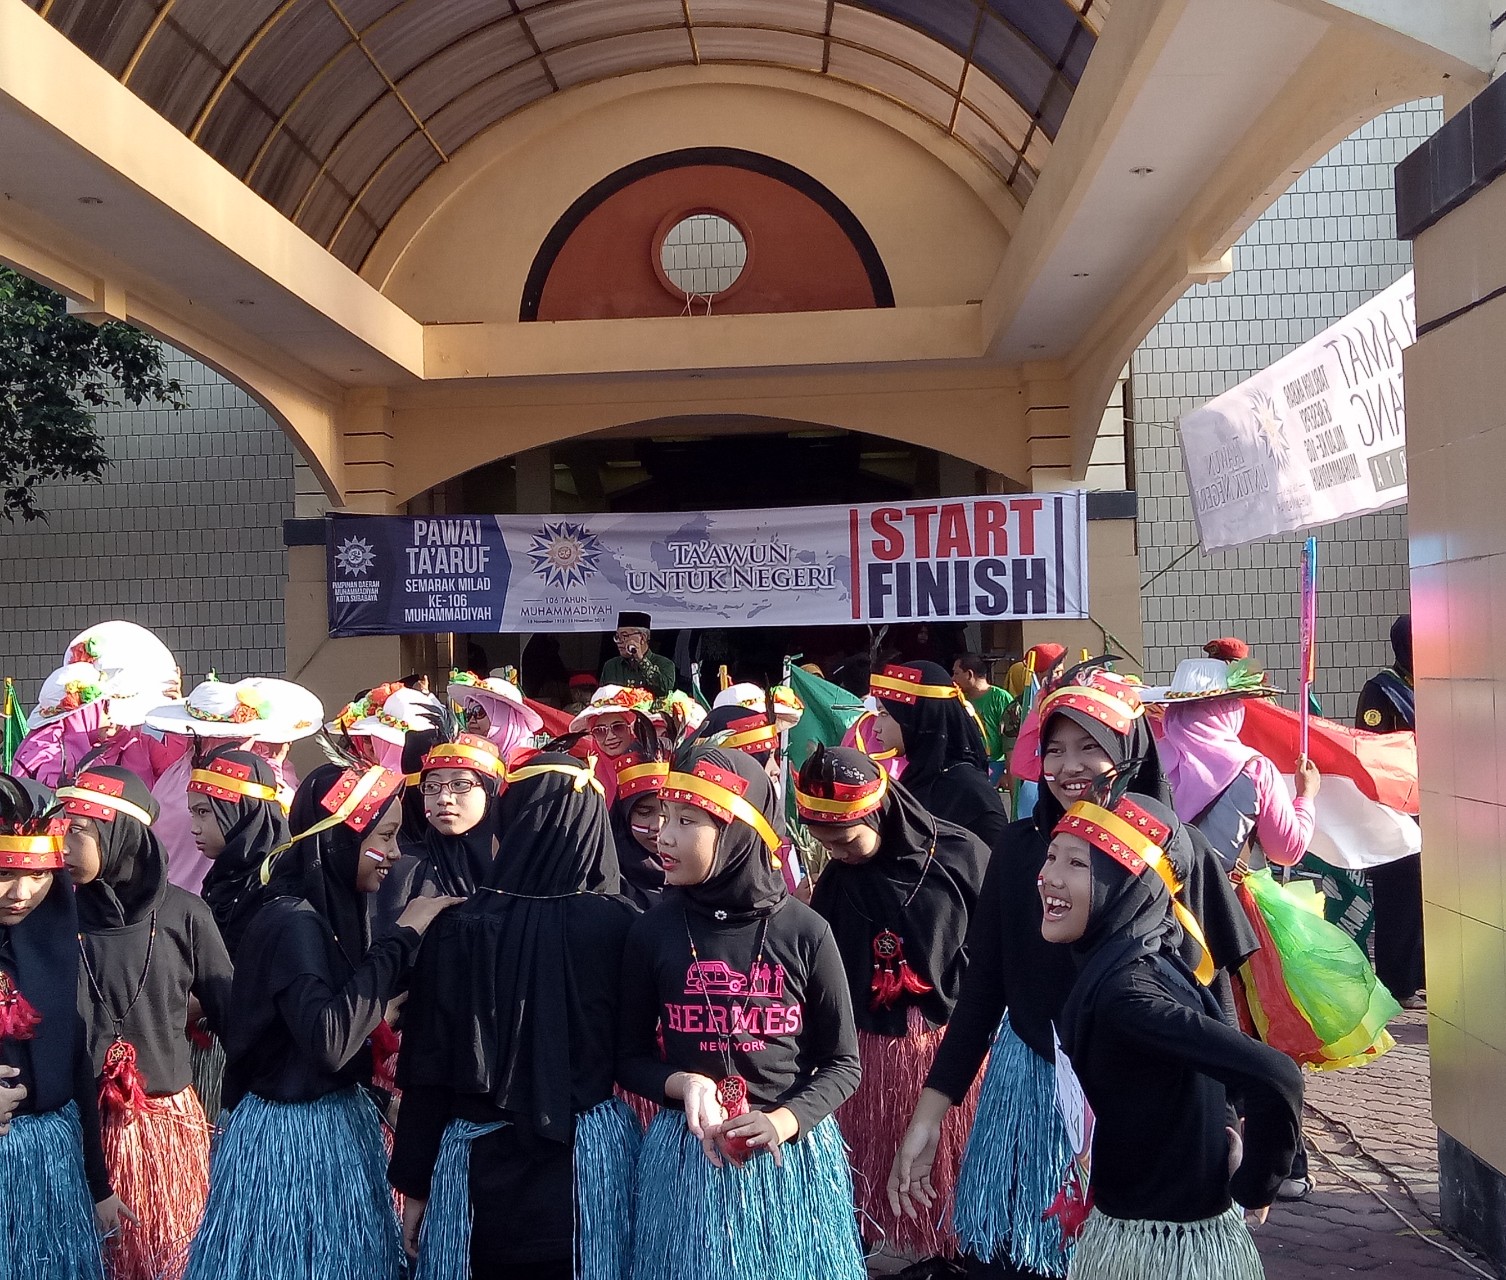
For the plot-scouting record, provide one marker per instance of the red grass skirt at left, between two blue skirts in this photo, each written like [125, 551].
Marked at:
[159, 1162]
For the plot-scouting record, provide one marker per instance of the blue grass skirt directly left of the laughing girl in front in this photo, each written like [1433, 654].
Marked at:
[1014, 1163]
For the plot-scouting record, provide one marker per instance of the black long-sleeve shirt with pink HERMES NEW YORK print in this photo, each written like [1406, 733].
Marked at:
[787, 1025]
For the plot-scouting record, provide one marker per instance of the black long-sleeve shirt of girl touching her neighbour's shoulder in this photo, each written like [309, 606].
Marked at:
[300, 1014]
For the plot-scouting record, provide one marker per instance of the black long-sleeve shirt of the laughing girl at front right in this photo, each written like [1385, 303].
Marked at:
[1160, 1076]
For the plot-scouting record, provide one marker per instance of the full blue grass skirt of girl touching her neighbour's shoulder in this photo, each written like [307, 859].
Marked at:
[299, 1190]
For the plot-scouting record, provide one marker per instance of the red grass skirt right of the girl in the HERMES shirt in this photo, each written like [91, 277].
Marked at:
[874, 1124]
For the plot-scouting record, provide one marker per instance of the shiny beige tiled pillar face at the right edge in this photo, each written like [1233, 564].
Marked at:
[1457, 465]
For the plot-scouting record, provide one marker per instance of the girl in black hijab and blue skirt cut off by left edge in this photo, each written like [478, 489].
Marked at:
[52, 1162]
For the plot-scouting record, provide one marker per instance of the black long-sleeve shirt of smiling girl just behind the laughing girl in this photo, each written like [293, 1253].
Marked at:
[1011, 968]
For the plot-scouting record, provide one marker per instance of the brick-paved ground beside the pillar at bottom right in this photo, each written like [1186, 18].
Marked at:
[1371, 1136]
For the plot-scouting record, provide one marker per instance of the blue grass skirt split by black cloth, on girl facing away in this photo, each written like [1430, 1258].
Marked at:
[608, 1142]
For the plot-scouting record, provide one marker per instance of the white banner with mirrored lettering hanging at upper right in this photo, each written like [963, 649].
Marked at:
[1319, 437]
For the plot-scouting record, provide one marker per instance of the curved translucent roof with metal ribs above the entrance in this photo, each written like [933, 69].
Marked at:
[337, 111]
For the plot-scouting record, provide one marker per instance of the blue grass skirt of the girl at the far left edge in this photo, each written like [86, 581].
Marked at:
[47, 1230]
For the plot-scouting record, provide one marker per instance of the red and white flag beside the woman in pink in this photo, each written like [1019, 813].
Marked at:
[1368, 805]
